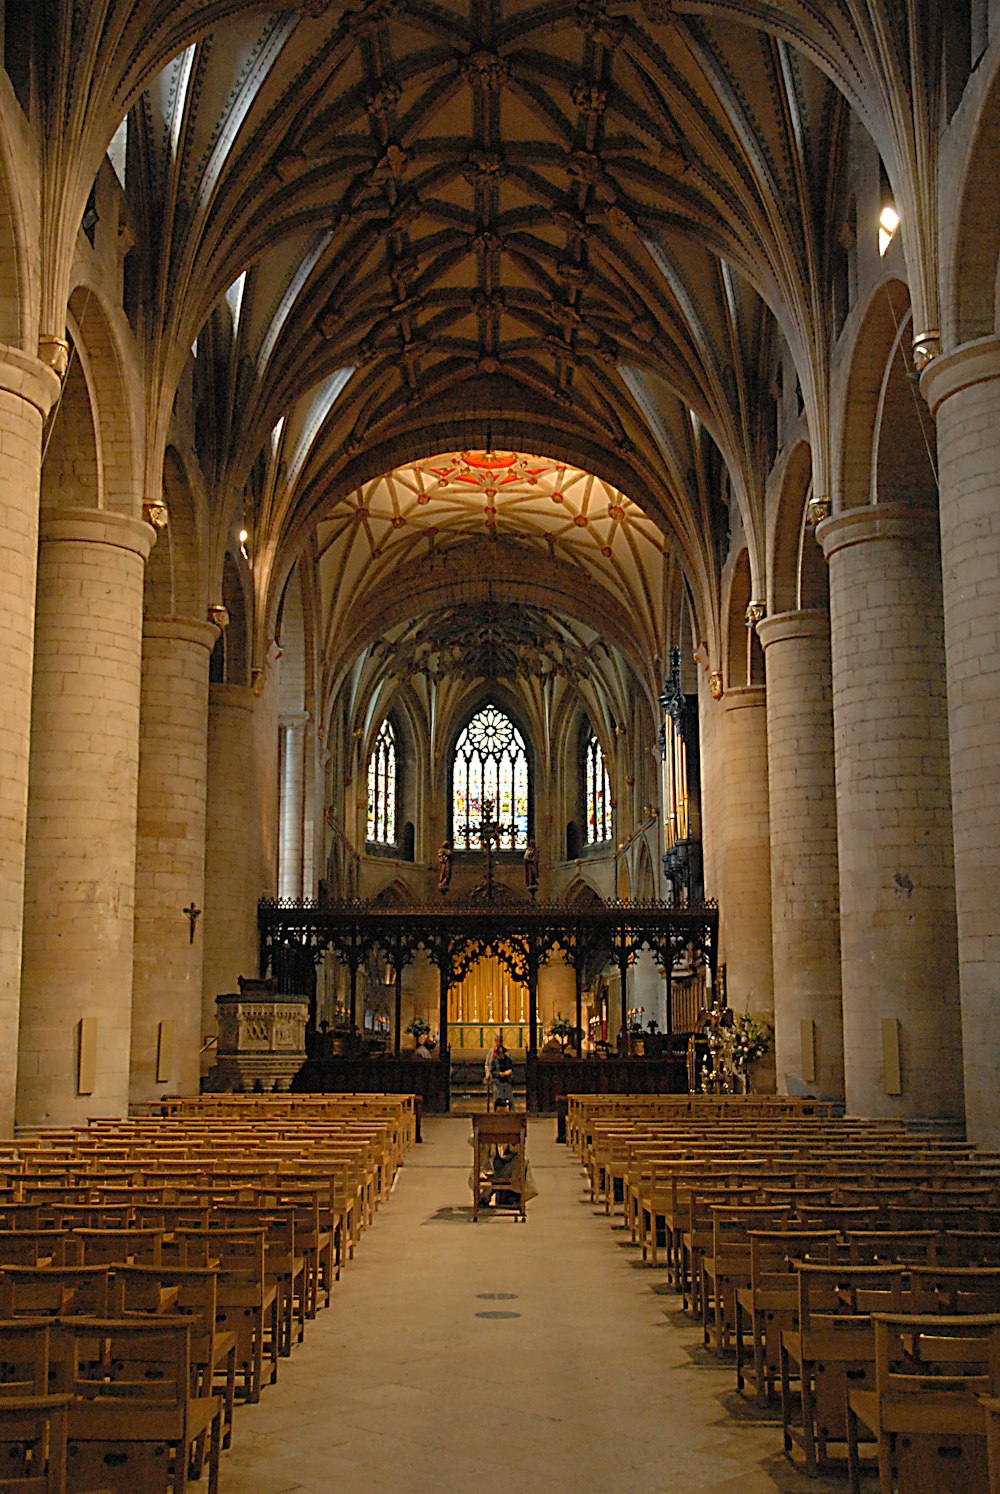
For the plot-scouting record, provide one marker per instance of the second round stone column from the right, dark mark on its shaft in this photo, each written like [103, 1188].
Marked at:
[895, 831]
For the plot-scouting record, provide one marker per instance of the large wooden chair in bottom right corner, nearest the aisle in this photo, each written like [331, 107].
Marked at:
[925, 1413]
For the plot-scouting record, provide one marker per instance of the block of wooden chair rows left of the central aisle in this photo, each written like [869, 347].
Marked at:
[156, 1271]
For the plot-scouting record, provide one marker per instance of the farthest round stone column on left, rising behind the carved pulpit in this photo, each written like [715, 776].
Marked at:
[240, 845]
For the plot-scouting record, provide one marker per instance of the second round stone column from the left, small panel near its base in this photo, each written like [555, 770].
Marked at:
[81, 831]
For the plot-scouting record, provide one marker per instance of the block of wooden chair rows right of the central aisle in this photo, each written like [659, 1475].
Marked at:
[851, 1269]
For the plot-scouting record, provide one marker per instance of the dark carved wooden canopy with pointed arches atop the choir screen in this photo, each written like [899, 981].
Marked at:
[295, 936]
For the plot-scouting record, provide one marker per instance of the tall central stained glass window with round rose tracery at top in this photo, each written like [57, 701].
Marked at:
[491, 763]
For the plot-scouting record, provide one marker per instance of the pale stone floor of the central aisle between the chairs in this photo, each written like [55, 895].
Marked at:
[503, 1357]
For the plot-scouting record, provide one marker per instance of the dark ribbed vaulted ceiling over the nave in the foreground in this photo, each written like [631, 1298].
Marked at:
[398, 222]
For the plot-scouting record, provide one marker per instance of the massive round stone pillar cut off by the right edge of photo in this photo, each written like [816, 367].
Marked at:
[963, 391]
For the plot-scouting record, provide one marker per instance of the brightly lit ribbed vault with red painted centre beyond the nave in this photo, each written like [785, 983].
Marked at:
[431, 512]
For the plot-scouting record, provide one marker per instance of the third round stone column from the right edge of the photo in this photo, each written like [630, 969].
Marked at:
[805, 881]
